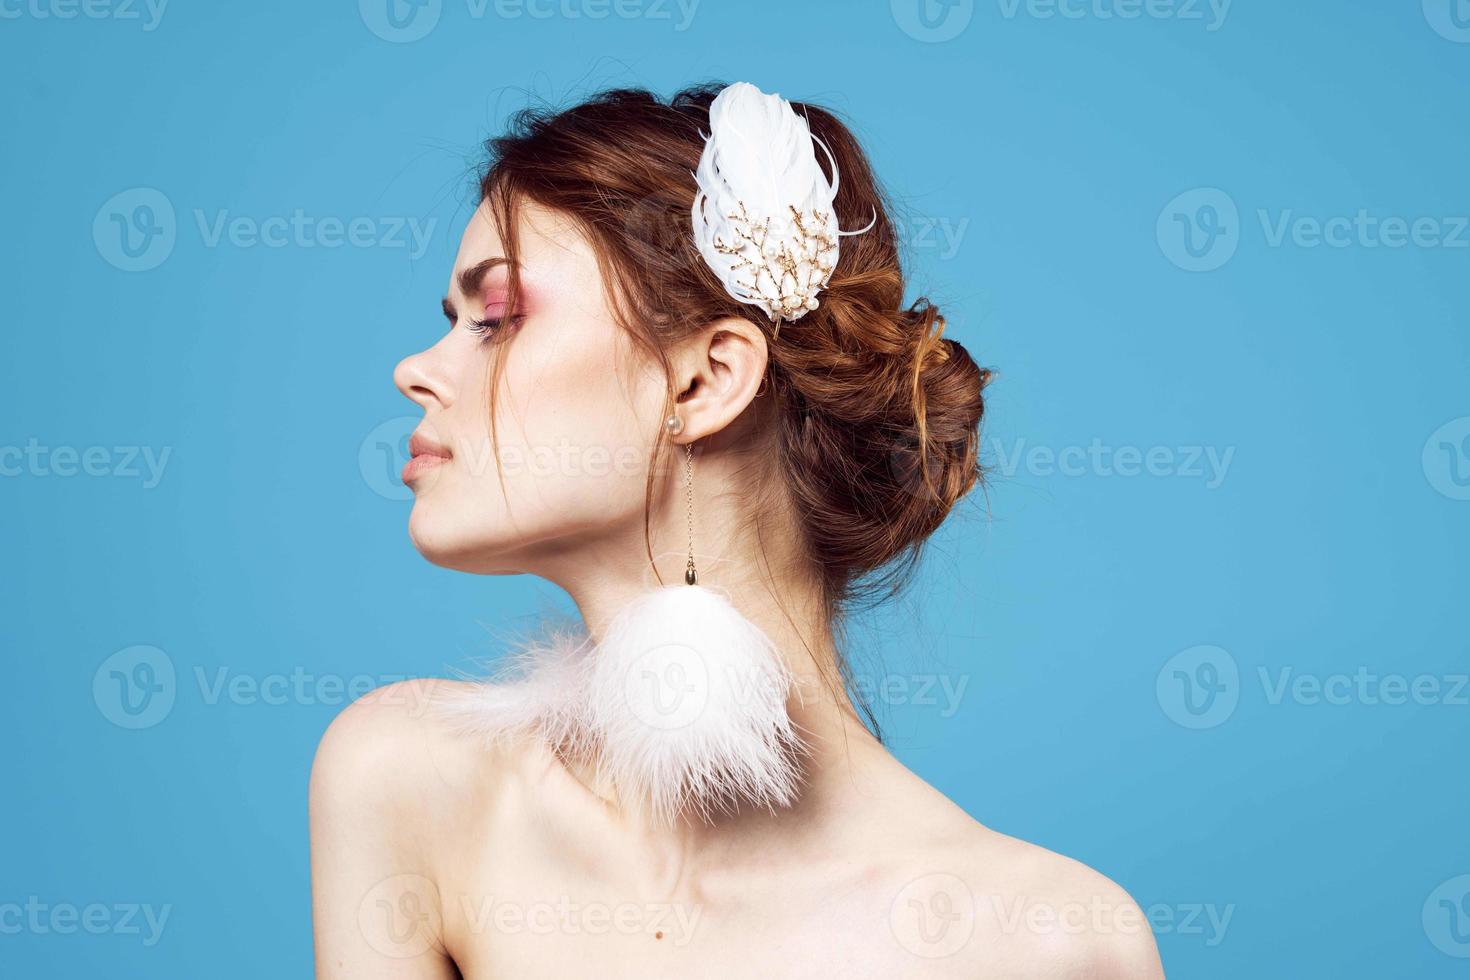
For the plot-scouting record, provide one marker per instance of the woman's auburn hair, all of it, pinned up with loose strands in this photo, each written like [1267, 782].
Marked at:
[875, 414]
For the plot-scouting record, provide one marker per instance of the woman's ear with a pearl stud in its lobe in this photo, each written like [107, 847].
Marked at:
[717, 374]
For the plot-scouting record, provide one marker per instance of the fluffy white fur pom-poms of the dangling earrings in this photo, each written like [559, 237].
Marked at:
[681, 707]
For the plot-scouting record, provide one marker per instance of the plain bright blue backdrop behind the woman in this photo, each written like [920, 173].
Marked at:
[1071, 603]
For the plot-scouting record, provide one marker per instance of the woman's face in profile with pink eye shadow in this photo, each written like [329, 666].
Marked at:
[577, 417]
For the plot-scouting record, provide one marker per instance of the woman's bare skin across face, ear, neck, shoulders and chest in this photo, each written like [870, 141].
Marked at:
[439, 856]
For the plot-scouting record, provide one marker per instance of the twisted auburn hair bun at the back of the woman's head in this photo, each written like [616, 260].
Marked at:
[887, 437]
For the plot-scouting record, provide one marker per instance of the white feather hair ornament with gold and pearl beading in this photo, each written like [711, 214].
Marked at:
[764, 215]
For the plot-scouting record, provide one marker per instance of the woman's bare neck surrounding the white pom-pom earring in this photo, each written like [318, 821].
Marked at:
[761, 569]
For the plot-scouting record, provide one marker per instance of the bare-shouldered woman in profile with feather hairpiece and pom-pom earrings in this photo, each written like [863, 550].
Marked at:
[680, 383]
